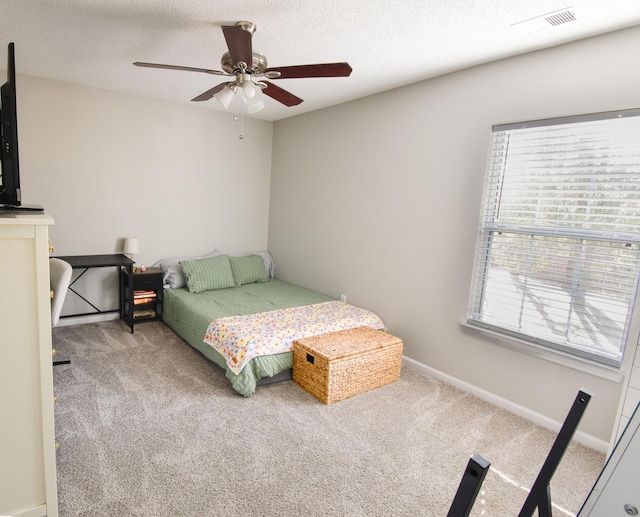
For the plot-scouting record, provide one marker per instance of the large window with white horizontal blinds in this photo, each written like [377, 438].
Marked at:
[558, 251]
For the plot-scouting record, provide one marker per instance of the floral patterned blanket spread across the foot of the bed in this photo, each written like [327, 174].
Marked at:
[241, 338]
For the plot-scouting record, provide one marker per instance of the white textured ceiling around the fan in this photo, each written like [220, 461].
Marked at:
[388, 43]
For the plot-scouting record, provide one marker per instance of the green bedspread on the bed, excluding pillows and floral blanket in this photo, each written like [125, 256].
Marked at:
[189, 315]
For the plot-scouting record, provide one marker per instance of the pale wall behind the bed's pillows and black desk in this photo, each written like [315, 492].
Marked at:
[107, 166]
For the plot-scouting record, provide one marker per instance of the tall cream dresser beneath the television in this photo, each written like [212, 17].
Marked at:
[27, 436]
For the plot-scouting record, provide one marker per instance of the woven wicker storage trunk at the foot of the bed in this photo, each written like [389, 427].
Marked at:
[339, 365]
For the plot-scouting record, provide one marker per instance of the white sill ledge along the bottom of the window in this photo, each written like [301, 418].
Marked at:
[555, 356]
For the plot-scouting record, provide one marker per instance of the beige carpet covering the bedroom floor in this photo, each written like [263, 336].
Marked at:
[148, 427]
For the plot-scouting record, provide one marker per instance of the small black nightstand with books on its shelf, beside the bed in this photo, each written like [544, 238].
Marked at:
[141, 296]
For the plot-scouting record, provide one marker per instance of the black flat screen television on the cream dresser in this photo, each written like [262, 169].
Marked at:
[10, 194]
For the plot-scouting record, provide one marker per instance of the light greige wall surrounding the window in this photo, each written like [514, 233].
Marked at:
[379, 199]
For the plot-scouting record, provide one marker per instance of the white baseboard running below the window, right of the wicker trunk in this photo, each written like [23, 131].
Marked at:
[512, 407]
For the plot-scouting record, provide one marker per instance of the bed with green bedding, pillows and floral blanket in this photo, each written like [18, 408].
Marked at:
[200, 303]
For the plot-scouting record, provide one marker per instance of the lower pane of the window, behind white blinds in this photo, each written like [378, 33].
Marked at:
[570, 293]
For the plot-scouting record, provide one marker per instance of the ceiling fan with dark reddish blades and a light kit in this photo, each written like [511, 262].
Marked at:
[248, 67]
